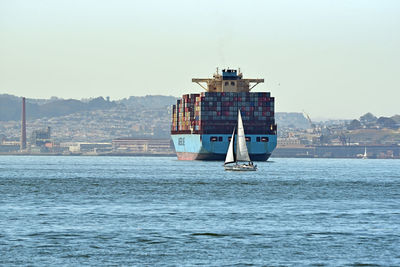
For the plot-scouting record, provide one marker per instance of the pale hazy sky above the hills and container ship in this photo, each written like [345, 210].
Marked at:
[336, 59]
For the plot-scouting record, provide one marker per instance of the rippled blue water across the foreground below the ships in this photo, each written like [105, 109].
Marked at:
[143, 211]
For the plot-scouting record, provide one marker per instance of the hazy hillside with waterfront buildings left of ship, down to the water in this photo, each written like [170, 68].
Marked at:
[64, 126]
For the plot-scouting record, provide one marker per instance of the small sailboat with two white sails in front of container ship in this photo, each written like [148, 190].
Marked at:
[242, 154]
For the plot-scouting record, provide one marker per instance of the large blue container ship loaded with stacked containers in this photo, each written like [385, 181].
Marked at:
[202, 124]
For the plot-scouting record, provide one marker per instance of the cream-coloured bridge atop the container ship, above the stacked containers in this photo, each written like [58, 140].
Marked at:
[230, 81]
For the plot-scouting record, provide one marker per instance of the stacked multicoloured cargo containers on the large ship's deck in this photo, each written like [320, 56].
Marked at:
[209, 113]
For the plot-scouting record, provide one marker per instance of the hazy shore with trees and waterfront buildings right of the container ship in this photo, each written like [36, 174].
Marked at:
[367, 136]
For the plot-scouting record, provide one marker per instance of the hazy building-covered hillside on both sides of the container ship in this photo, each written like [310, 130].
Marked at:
[114, 125]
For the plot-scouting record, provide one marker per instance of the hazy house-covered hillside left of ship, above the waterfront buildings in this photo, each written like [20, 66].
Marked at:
[91, 121]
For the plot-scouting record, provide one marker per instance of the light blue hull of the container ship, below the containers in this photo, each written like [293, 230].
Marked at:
[203, 146]
